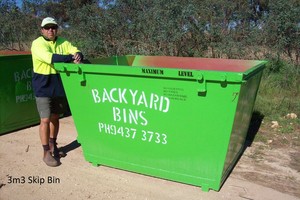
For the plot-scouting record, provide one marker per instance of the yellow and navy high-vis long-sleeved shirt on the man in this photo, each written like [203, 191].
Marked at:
[46, 81]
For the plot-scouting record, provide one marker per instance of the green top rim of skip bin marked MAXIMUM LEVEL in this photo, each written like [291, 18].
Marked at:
[135, 71]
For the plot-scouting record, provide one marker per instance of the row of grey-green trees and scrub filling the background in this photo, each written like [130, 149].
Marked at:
[208, 28]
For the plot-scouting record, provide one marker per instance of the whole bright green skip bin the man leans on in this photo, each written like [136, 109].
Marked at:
[177, 118]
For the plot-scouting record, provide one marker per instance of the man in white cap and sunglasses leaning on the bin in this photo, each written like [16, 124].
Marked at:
[47, 86]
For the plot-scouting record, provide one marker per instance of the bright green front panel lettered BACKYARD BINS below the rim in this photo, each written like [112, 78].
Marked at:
[159, 127]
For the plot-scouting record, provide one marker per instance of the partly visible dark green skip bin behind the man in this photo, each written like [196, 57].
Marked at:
[17, 101]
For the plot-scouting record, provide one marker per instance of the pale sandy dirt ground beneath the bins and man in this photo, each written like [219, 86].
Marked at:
[264, 171]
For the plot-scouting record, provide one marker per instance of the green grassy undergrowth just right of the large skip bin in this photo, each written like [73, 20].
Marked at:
[279, 92]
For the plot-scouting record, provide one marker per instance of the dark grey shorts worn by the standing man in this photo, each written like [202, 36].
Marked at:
[47, 106]
